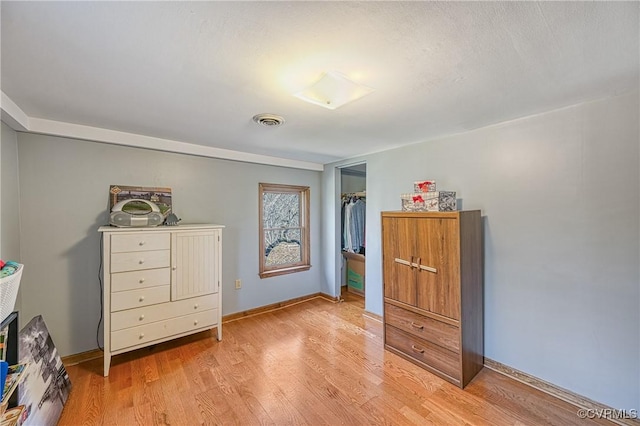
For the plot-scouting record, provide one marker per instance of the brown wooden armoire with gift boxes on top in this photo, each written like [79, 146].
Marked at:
[433, 291]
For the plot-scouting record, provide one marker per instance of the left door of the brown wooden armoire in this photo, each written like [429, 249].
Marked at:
[398, 246]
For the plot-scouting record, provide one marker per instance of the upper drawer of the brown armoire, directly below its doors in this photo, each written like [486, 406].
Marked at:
[426, 328]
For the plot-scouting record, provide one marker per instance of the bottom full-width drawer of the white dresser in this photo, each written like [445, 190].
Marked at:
[145, 334]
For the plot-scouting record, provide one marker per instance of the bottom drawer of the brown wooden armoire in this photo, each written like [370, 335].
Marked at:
[426, 352]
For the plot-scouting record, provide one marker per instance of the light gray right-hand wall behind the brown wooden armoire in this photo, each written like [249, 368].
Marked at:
[560, 195]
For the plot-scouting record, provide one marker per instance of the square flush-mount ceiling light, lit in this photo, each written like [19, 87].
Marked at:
[333, 90]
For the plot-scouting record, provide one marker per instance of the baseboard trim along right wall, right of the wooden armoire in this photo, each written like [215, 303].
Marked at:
[556, 391]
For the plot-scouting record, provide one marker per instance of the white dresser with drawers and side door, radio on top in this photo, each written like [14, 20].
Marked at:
[159, 284]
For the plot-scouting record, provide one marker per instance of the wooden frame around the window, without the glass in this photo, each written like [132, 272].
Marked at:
[305, 251]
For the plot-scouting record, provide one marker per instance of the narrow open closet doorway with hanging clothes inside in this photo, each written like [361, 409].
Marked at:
[353, 198]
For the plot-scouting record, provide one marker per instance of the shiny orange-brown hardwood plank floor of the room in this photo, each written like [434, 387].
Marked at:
[314, 363]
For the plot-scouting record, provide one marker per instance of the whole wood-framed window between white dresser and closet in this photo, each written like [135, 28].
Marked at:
[284, 229]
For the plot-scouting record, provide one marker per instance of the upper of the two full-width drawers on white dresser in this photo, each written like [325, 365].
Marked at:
[148, 314]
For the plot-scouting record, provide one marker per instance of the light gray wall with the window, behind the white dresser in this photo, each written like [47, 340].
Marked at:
[64, 195]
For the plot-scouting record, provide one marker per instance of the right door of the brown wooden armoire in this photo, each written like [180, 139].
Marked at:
[438, 256]
